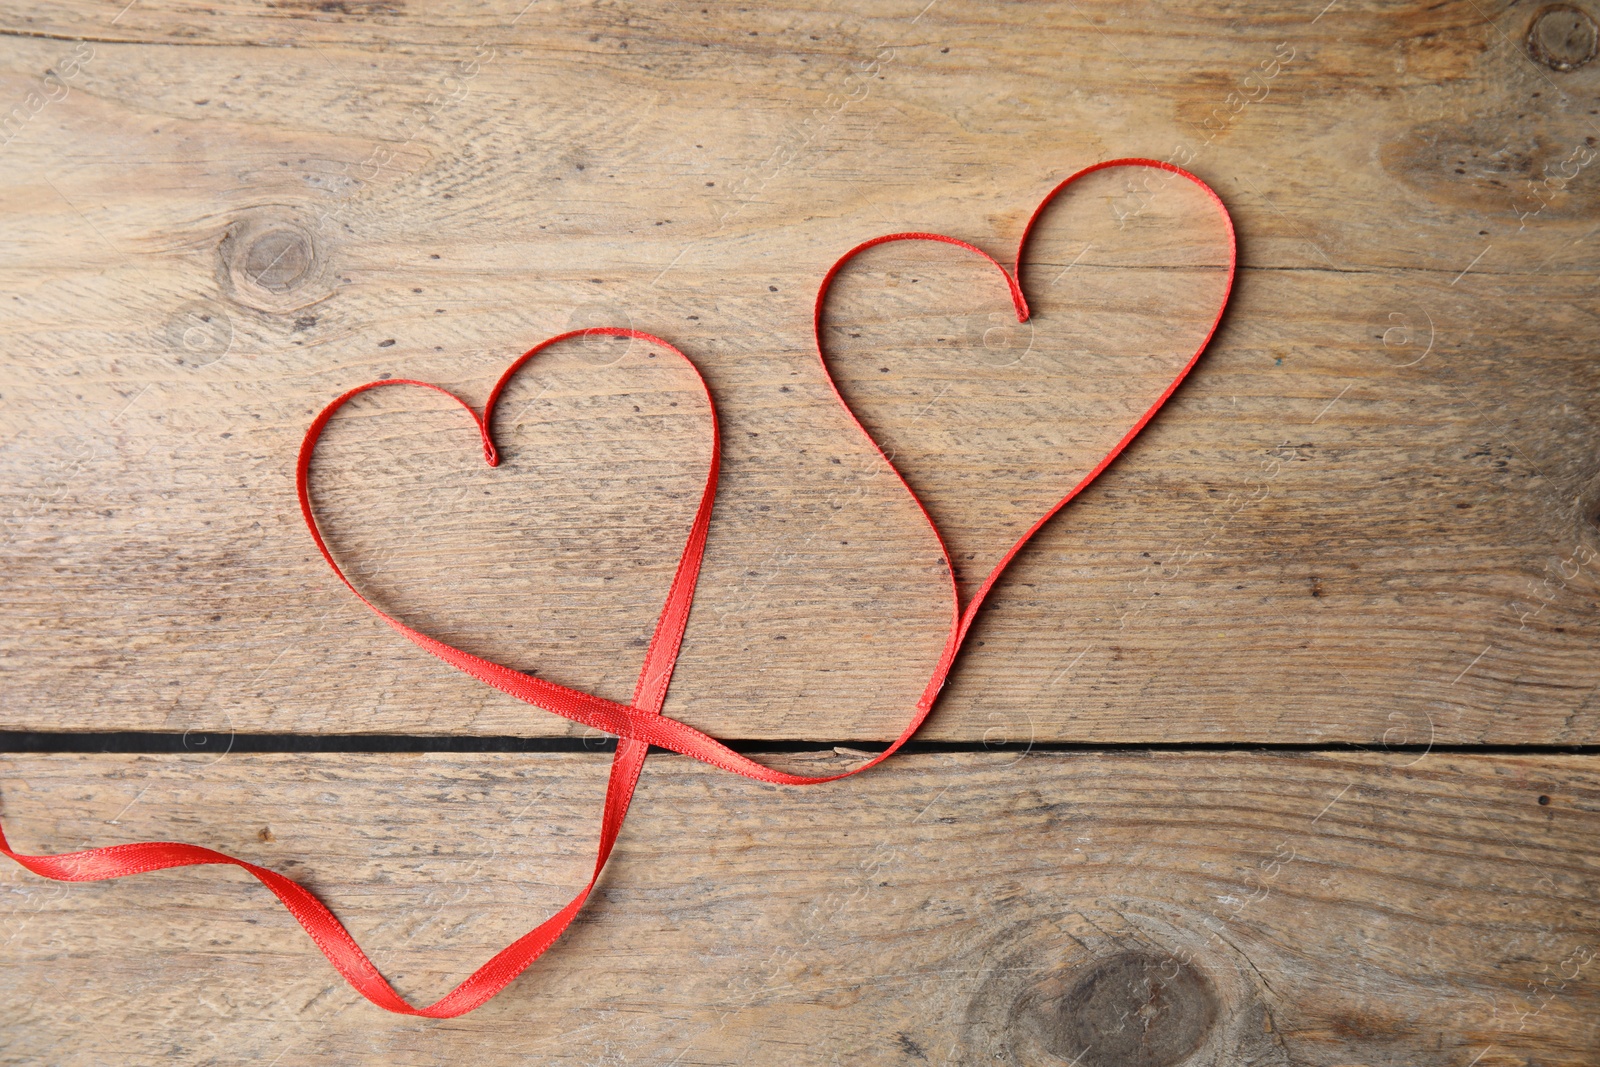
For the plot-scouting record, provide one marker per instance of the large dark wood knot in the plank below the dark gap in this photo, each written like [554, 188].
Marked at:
[1137, 1010]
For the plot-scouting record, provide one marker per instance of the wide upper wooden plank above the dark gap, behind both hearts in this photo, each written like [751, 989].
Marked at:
[1370, 518]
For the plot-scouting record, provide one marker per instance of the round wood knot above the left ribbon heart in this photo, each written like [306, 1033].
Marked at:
[271, 262]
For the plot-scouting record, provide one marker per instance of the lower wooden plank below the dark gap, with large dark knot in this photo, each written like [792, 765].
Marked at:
[1306, 909]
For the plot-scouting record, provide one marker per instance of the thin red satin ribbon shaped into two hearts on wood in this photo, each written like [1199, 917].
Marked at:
[641, 724]
